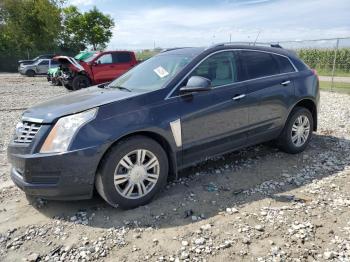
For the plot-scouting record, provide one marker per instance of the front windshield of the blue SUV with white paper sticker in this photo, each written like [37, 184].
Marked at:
[153, 73]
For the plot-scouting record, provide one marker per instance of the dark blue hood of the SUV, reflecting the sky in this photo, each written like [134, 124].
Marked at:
[76, 102]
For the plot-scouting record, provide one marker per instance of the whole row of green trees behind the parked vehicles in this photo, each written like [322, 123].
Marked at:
[31, 27]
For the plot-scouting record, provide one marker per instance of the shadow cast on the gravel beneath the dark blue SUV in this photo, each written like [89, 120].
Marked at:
[208, 188]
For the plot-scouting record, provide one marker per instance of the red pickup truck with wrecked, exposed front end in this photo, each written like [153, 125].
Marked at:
[99, 68]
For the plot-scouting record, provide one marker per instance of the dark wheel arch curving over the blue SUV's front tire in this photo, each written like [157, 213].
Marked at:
[160, 139]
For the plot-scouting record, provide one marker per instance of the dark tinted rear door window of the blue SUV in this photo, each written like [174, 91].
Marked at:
[258, 64]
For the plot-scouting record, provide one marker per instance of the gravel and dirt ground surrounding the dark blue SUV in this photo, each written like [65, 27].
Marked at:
[258, 204]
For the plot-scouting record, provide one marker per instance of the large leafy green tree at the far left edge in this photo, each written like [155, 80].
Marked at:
[30, 24]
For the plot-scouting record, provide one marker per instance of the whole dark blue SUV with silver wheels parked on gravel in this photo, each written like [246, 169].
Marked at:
[185, 105]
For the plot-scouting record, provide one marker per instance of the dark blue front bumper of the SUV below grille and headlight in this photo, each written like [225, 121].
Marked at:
[65, 176]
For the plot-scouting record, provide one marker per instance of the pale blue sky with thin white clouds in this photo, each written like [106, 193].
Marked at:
[145, 24]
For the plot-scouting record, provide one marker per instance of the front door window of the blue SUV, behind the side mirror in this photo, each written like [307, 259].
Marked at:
[220, 68]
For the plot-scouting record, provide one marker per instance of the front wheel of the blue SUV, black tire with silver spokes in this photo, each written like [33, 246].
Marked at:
[112, 162]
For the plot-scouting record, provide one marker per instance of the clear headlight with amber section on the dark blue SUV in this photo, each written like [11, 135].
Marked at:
[64, 130]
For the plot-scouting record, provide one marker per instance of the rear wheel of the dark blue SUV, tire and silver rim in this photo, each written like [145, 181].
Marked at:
[290, 138]
